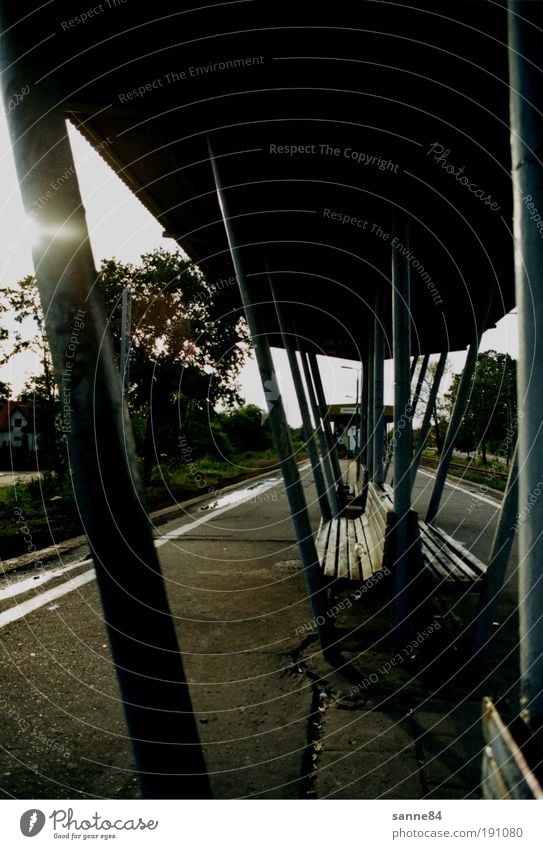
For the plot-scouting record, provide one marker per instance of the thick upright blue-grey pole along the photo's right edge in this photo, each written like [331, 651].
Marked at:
[526, 110]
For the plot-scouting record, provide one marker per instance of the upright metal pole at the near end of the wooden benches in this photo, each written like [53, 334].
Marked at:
[401, 323]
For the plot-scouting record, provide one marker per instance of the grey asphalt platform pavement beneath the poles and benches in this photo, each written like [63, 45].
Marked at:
[275, 719]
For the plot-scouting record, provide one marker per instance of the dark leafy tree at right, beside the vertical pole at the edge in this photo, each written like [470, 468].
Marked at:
[491, 412]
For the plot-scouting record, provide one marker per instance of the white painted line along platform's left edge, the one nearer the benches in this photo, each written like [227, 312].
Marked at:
[25, 607]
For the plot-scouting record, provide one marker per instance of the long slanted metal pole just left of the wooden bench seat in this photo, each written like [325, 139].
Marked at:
[281, 435]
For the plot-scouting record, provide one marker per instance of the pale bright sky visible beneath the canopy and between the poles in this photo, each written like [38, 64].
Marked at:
[121, 227]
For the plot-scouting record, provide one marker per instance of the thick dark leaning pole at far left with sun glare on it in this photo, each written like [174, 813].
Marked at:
[100, 447]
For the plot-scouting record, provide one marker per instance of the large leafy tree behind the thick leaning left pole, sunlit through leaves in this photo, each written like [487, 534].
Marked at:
[187, 346]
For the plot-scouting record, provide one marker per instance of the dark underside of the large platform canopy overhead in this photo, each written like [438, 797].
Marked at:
[329, 124]
